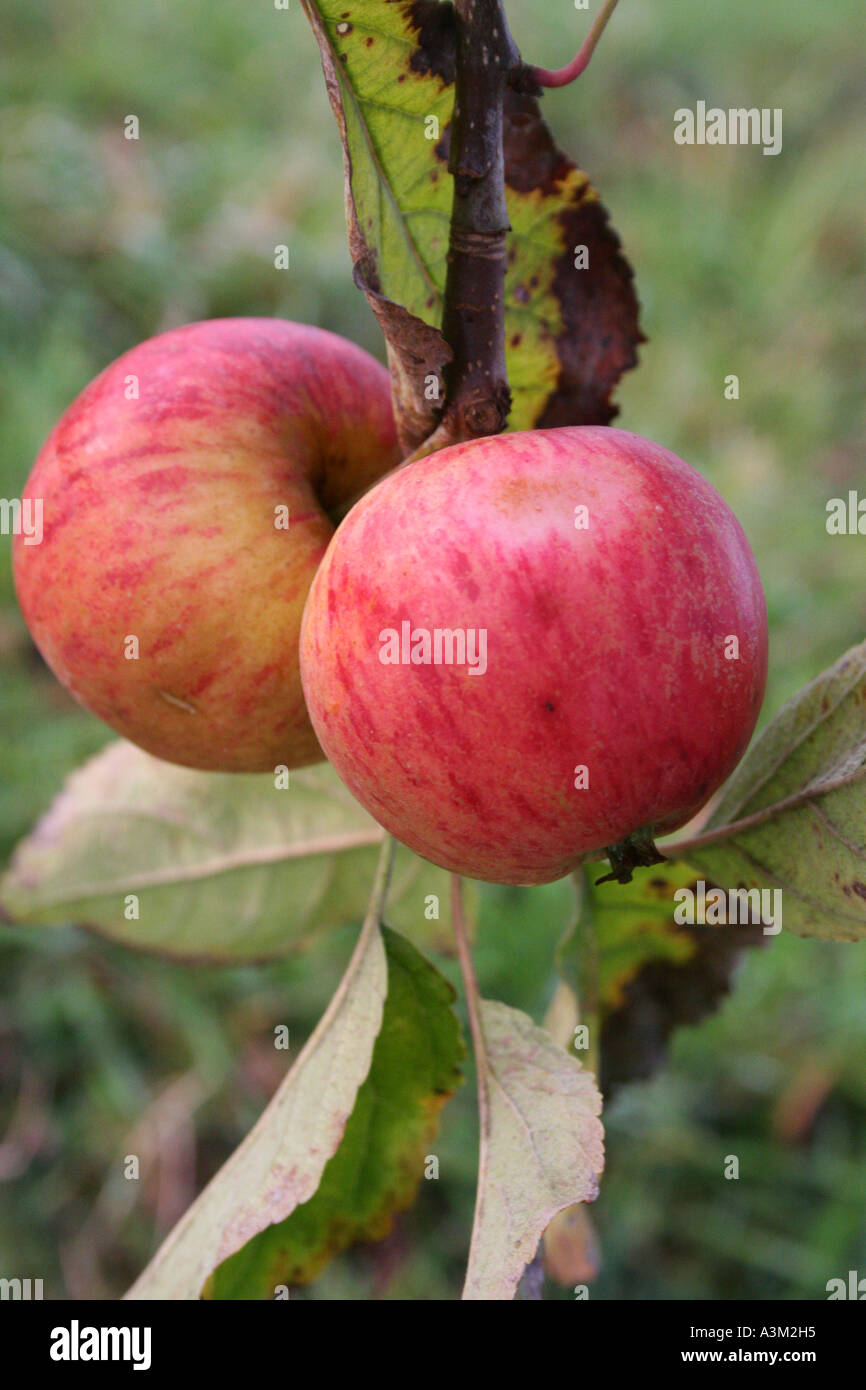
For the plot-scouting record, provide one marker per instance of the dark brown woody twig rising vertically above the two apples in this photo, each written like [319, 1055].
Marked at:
[473, 323]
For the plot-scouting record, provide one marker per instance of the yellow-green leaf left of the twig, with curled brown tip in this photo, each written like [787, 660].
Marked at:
[382, 99]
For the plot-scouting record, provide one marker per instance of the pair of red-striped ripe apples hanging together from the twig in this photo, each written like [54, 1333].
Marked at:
[516, 653]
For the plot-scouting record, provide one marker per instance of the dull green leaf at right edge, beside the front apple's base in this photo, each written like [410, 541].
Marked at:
[794, 814]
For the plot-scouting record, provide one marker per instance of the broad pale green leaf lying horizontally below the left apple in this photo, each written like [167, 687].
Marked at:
[226, 868]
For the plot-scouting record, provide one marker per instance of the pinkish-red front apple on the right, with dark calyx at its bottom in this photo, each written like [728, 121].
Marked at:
[605, 650]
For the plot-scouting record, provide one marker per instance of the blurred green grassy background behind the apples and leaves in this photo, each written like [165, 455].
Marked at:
[746, 265]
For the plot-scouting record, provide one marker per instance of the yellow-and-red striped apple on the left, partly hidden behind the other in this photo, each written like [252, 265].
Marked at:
[159, 522]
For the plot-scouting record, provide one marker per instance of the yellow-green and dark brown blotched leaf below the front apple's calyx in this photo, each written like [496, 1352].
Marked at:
[651, 974]
